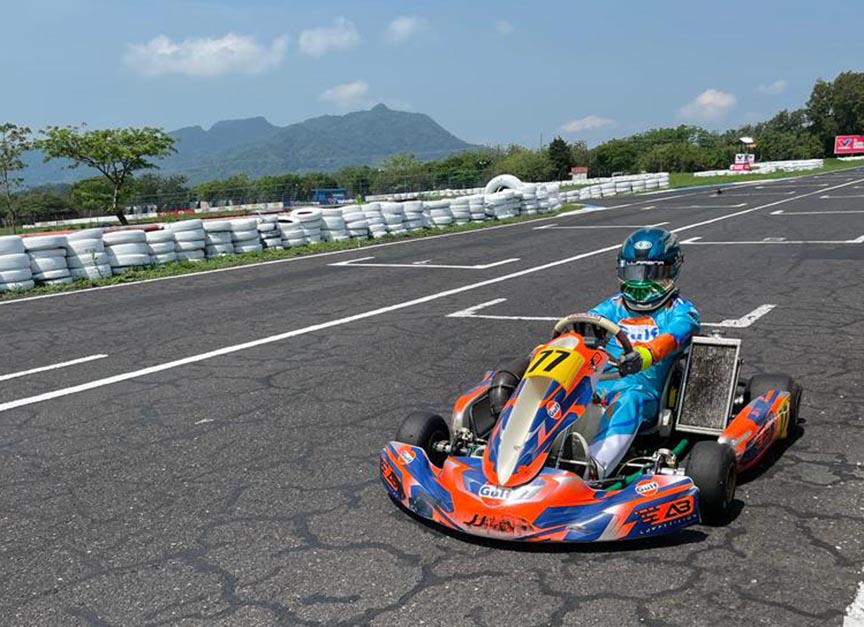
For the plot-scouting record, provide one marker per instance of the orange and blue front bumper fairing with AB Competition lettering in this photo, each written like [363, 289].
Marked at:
[556, 506]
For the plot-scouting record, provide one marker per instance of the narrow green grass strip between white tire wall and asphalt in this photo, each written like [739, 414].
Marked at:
[243, 259]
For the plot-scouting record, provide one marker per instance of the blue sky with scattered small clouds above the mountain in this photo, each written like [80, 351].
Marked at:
[490, 72]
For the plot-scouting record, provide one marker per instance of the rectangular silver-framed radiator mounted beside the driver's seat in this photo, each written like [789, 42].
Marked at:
[709, 384]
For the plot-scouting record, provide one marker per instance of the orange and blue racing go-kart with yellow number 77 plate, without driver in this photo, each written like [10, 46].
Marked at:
[524, 475]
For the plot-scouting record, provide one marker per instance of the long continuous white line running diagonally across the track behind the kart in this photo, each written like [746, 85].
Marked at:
[227, 350]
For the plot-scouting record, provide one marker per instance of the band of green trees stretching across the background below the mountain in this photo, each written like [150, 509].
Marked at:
[121, 155]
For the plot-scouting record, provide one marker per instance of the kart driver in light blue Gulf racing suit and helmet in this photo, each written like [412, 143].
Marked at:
[660, 325]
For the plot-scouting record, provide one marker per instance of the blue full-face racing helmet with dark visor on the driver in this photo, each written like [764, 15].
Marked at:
[648, 265]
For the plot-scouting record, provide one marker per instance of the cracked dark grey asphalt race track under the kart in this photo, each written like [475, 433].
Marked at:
[229, 475]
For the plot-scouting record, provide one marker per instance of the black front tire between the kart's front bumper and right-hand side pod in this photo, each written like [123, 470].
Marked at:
[712, 466]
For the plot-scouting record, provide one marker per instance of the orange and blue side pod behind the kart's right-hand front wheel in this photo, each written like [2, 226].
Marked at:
[756, 427]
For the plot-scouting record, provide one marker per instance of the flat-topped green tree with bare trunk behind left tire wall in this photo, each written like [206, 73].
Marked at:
[115, 153]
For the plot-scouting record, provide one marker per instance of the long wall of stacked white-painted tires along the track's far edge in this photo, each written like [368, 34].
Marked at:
[94, 253]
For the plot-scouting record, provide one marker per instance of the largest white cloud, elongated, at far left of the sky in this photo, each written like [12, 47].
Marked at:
[206, 57]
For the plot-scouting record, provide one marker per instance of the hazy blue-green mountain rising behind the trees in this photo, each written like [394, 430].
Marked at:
[255, 147]
